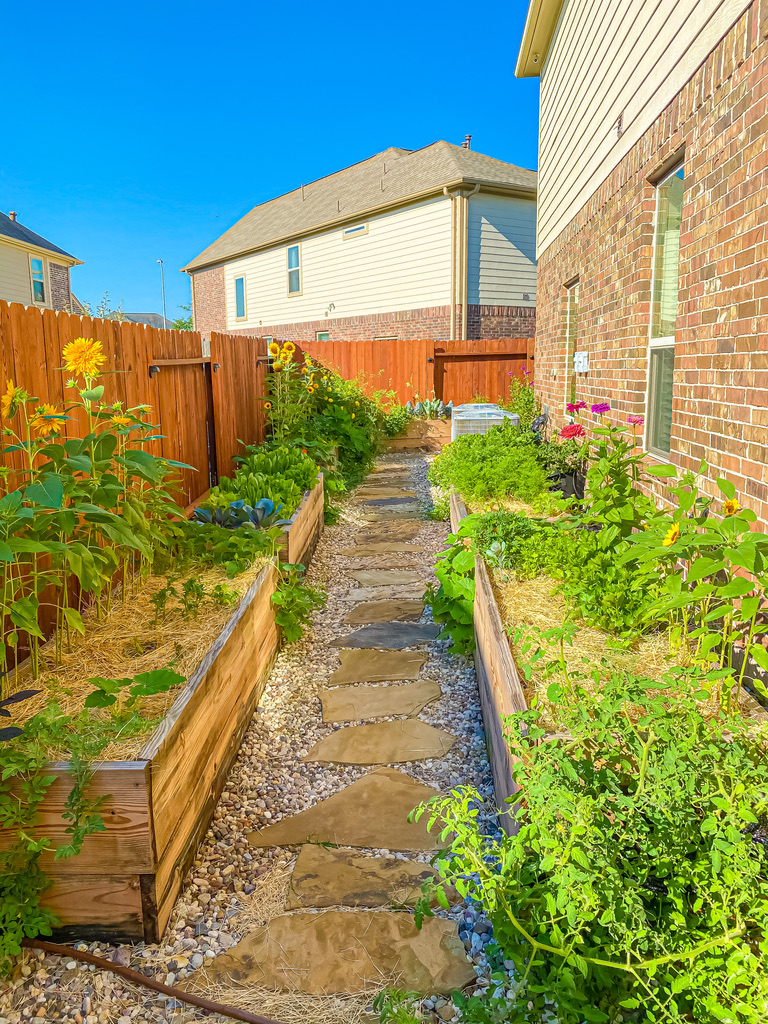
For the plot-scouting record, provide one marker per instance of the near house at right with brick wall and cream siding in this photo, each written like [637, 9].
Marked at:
[653, 235]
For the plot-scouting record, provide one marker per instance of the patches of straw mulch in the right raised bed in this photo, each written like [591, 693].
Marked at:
[535, 604]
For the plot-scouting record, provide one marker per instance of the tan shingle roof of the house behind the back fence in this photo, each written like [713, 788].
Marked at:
[383, 181]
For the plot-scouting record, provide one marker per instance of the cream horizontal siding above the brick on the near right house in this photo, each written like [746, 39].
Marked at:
[610, 59]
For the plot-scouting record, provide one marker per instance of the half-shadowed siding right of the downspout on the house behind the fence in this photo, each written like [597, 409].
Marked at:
[502, 251]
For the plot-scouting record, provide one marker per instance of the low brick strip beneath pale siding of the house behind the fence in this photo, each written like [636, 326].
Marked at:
[433, 322]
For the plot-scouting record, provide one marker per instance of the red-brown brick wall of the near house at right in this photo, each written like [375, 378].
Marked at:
[720, 407]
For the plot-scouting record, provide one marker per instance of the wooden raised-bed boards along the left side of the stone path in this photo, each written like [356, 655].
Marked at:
[125, 882]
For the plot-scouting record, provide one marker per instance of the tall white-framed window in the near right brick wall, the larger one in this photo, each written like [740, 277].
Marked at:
[664, 311]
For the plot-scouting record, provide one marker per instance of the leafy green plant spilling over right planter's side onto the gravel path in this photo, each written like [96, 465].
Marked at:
[453, 601]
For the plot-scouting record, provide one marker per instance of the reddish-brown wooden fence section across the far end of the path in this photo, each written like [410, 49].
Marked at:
[456, 371]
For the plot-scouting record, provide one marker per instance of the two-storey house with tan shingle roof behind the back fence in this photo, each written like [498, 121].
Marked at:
[433, 243]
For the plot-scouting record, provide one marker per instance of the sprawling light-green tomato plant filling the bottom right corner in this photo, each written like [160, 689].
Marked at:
[634, 888]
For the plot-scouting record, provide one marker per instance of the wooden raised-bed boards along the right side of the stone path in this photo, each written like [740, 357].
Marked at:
[498, 679]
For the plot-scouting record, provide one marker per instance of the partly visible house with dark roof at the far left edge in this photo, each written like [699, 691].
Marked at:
[33, 271]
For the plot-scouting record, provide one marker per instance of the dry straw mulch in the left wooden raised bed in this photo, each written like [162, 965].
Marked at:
[127, 643]
